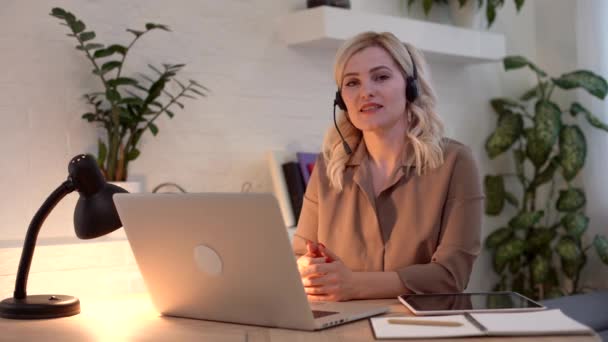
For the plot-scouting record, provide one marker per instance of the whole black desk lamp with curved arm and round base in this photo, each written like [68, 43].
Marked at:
[94, 216]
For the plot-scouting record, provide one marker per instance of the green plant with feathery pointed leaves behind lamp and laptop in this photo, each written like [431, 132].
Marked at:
[127, 107]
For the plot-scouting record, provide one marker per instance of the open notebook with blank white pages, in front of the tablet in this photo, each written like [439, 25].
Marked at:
[548, 322]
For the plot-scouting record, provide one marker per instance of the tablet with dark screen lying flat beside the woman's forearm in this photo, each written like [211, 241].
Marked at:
[452, 303]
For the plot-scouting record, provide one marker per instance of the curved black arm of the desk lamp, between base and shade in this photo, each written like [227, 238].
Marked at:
[32, 234]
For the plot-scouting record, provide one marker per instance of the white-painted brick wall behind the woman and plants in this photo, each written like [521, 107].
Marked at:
[264, 96]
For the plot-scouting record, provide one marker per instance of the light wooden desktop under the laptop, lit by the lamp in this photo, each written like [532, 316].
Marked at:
[133, 318]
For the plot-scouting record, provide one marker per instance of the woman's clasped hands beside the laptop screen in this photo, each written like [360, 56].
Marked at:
[331, 281]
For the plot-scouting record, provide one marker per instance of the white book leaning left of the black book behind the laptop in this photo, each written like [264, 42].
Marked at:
[275, 159]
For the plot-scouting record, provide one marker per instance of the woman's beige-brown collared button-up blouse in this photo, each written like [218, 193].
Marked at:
[426, 228]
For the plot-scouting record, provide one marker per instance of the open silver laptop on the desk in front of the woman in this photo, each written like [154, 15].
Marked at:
[224, 257]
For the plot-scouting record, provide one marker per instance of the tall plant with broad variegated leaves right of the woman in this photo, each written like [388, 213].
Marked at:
[543, 248]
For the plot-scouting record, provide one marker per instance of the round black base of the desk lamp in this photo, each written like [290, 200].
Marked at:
[40, 307]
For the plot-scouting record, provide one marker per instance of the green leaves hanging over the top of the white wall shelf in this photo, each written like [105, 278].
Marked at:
[463, 11]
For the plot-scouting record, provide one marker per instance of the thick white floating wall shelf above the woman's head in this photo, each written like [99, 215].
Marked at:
[328, 27]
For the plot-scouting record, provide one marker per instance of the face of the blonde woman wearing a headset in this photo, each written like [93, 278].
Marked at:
[373, 89]
